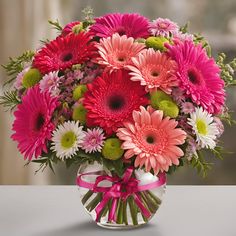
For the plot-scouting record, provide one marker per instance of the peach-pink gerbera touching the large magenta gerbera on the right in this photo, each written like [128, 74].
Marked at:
[154, 70]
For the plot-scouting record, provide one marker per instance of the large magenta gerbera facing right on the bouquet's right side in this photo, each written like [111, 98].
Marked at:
[199, 75]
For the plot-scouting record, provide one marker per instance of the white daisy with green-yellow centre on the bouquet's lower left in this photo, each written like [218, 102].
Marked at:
[67, 139]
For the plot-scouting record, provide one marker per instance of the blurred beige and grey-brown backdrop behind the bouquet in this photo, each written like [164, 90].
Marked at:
[24, 22]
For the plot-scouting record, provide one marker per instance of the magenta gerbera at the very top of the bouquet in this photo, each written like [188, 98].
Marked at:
[131, 25]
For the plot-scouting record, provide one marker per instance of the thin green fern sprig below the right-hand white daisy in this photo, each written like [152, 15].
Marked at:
[201, 165]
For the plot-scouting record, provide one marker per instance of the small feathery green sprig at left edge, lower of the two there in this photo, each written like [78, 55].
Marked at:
[9, 100]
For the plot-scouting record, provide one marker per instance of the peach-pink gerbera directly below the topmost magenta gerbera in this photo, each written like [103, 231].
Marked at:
[116, 51]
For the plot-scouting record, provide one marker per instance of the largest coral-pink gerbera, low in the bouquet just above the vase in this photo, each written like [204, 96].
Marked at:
[152, 139]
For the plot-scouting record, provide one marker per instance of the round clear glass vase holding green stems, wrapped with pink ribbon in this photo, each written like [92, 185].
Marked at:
[117, 203]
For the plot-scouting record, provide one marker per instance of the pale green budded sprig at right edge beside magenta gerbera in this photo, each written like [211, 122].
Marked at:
[227, 69]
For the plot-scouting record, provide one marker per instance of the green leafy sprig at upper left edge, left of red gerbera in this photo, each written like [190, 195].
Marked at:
[16, 65]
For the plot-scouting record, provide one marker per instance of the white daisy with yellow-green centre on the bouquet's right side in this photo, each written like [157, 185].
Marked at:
[204, 127]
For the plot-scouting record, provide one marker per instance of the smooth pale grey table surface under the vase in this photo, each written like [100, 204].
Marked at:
[56, 211]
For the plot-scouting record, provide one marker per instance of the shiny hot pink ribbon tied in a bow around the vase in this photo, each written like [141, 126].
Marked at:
[121, 188]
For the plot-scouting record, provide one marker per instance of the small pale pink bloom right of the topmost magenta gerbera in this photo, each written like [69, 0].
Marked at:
[163, 27]
